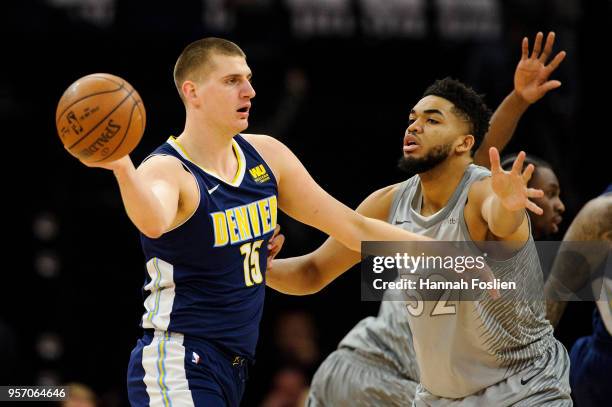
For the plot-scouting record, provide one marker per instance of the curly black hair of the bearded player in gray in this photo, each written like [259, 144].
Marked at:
[467, 104]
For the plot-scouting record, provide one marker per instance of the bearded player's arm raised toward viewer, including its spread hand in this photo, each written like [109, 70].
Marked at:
[496, 205]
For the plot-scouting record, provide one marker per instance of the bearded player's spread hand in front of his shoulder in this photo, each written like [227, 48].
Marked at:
[511, 186]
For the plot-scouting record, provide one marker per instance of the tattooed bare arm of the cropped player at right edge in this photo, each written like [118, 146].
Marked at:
[593, 223]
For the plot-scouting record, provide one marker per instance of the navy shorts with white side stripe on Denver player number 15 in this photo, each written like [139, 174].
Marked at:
[169, 370]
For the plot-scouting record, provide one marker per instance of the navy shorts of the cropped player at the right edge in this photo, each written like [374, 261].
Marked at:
[591, 366]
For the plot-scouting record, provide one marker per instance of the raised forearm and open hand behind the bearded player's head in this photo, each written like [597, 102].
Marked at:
[531, 83]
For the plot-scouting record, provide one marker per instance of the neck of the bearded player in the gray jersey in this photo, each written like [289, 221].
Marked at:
[439, 183]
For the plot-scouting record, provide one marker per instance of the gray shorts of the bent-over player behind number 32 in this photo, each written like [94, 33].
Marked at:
[347, 378]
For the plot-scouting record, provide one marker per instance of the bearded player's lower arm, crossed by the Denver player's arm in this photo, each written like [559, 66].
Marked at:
[310, 273]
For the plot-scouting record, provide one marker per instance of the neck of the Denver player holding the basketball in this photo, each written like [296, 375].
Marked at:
[210, 148]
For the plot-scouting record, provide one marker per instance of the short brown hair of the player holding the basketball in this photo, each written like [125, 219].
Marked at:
[196, 58]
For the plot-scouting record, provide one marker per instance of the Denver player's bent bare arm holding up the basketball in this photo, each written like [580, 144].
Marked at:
[150, 193]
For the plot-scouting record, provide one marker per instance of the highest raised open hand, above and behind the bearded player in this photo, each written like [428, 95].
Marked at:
[531, 76]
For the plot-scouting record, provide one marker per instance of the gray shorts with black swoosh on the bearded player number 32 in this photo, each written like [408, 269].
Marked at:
[544, 383]
